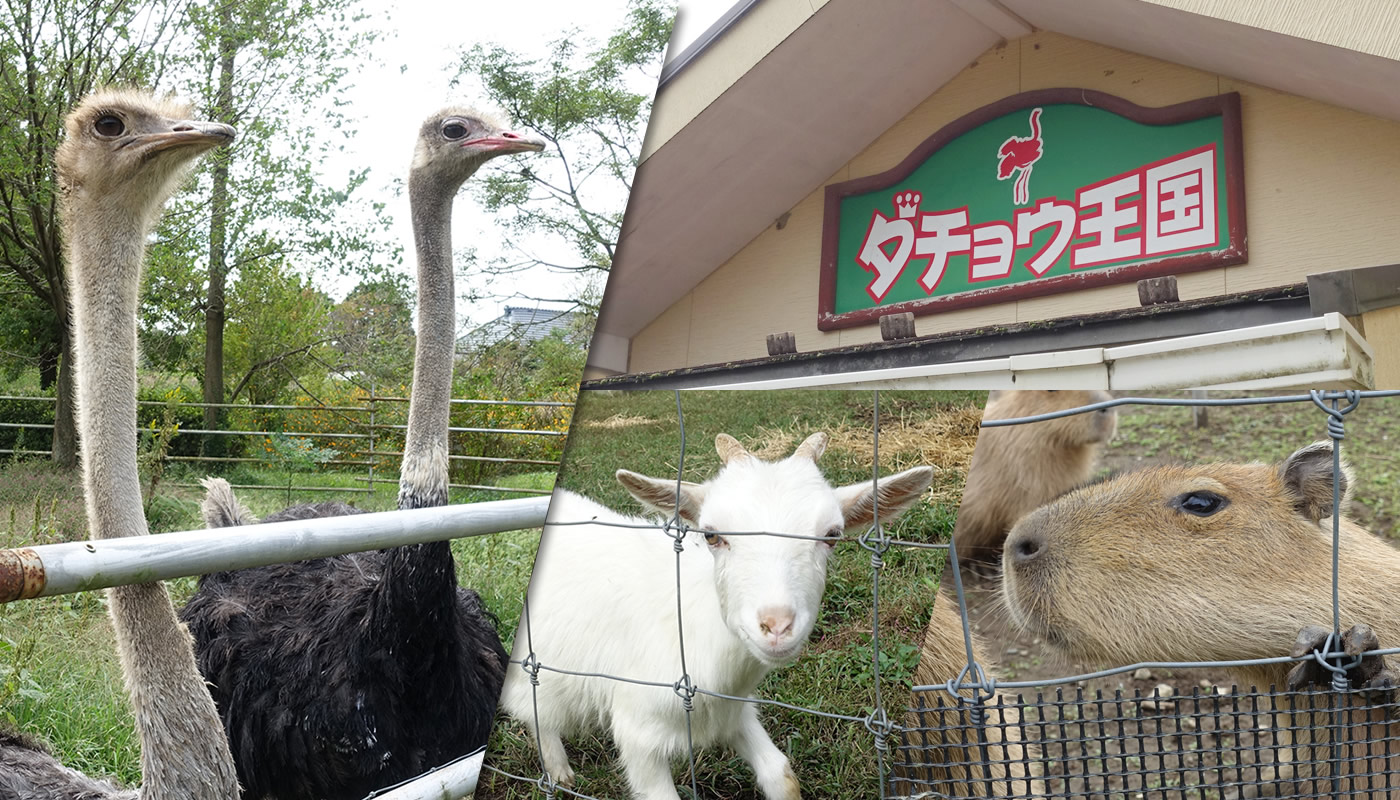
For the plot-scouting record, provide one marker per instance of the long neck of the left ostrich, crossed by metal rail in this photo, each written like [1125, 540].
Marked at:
[184, 752]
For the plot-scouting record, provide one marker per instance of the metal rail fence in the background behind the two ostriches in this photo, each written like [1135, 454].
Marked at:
[365, 438]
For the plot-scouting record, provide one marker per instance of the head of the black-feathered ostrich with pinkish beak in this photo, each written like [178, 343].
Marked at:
[456, 142]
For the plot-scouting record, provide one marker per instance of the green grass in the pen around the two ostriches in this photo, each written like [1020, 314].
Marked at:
[59, 676]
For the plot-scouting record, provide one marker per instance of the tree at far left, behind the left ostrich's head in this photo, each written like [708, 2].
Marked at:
[52, 53]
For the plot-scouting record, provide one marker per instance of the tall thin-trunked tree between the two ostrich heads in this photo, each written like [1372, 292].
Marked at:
[271, 68]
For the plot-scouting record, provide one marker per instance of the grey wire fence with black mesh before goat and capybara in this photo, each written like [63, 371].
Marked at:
[972, 738]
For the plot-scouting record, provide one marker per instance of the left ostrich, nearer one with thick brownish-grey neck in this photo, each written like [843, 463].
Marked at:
[125, 155]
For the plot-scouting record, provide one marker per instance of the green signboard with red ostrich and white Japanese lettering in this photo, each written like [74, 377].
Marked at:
[1042, 193]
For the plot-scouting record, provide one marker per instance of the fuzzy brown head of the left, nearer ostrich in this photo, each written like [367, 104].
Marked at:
[128, 151]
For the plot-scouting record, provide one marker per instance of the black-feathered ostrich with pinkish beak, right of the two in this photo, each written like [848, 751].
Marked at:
[341, 676]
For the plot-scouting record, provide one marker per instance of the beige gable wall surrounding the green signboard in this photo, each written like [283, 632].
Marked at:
[1321, 194]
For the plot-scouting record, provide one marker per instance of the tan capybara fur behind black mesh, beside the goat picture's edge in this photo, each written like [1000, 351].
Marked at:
[951, 763]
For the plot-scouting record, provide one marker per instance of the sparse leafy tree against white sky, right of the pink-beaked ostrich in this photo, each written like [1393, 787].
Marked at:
[593, 109]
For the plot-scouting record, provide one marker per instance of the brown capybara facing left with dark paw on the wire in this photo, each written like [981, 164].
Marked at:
[1213, 563]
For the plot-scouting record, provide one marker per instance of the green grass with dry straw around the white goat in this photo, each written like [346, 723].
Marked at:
[832, 759]
